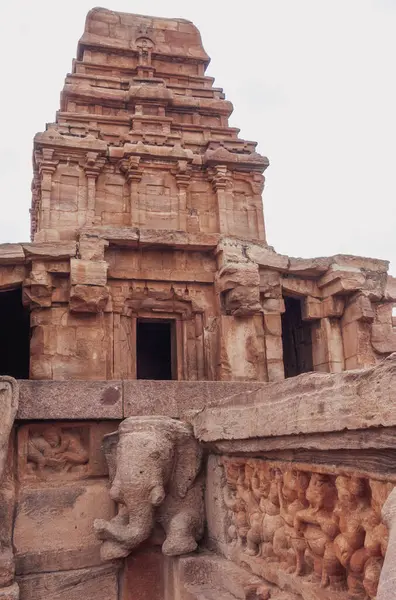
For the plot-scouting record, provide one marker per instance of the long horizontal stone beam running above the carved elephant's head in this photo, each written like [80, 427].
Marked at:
[83, 400]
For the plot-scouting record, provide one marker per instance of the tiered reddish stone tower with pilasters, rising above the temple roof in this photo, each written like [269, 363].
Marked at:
[142, 139]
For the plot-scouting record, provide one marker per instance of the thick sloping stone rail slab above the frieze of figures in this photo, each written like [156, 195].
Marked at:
[309, 403]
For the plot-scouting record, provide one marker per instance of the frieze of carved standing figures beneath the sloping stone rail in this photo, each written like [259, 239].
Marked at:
[322, 526]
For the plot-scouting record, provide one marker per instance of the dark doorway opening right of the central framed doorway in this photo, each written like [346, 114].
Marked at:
[296, 339]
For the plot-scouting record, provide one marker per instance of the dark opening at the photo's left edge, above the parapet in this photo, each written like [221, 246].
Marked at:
[14, 335]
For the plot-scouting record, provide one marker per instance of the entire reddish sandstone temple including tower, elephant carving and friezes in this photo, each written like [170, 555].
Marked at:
[185, 414]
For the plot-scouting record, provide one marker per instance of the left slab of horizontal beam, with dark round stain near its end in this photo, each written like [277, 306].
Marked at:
[70, 399]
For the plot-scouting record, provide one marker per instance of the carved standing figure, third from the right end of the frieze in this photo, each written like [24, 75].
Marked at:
[318, 526]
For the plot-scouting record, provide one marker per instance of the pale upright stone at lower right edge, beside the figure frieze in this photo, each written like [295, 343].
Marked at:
[387, 582]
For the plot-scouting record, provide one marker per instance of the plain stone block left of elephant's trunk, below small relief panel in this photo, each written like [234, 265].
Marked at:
[53, 526]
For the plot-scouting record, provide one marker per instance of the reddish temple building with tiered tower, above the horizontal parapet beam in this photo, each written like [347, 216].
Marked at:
[146, 203]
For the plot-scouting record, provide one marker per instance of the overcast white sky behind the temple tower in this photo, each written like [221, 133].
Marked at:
[313, 81]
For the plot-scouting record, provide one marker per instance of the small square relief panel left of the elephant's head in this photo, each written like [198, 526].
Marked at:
[52, 451]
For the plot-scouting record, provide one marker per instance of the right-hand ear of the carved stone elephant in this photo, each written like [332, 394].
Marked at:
[188, 460]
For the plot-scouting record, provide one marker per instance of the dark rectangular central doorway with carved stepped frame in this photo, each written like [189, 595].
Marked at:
[154, 343]
